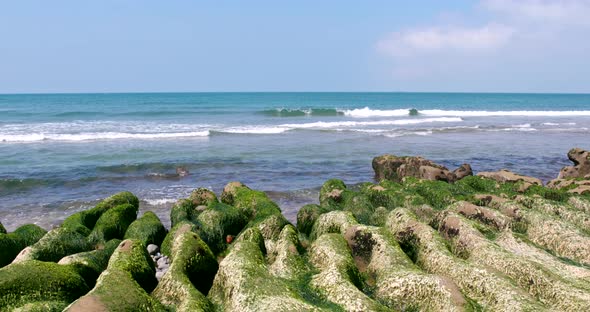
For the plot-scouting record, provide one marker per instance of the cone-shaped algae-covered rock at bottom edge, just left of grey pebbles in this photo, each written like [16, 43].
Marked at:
[125, 284]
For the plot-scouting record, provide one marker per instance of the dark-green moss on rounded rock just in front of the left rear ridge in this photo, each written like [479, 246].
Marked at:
[113, 223]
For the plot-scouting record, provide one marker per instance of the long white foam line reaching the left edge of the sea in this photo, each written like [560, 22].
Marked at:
[35, 137]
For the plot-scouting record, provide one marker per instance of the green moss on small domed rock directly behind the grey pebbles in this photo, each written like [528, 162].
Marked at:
[148, 229]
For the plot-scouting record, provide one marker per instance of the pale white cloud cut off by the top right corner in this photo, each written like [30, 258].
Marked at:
[570, 12]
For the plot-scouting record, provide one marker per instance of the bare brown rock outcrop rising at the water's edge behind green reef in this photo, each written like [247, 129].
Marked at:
[395, 168]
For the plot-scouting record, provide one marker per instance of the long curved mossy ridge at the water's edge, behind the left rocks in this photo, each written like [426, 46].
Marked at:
[84, 221]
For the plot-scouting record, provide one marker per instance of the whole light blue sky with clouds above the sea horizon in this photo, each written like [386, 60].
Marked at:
[322, 45]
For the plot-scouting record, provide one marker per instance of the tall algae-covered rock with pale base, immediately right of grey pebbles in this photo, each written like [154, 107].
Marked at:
[190, 275]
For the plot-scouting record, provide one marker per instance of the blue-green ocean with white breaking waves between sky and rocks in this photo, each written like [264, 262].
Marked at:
[60, 153]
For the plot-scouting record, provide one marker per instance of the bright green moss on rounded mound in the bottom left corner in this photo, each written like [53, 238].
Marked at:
[35, 281]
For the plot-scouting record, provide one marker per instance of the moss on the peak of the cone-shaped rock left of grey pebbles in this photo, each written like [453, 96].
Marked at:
[131, 256]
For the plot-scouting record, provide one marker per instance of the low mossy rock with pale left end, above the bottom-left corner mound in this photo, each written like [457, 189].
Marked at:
[55, 245]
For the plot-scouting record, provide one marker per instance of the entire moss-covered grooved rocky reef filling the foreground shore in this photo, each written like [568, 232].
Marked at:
[421, 238]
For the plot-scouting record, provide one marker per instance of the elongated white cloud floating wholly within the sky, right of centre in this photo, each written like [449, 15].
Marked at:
[438, 39]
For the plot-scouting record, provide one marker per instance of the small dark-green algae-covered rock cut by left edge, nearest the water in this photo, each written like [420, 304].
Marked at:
[12, 243]
